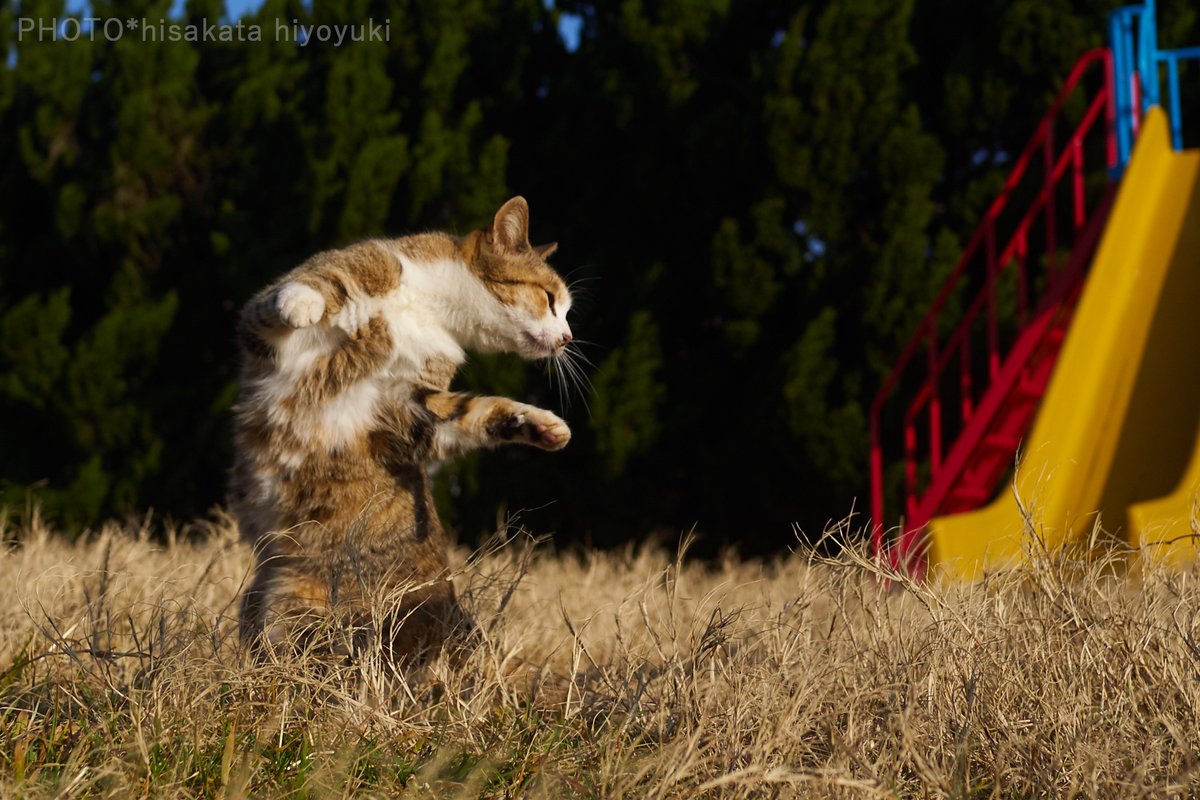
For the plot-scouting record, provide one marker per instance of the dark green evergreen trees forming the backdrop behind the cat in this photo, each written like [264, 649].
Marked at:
[759, 197]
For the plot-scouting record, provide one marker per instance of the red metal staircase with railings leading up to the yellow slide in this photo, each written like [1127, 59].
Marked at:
[988, 346]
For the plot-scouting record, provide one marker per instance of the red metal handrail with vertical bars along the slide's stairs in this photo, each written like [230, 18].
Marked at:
[943, 352]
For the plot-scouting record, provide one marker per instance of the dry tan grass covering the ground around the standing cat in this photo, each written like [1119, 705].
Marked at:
[802, 677]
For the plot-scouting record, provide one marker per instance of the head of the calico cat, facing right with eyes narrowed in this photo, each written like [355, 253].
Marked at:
[535, 299]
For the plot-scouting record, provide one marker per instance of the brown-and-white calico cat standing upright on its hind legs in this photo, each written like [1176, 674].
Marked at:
[345, 399]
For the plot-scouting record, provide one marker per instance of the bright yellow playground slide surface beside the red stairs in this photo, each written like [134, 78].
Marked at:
[1120, 422]
